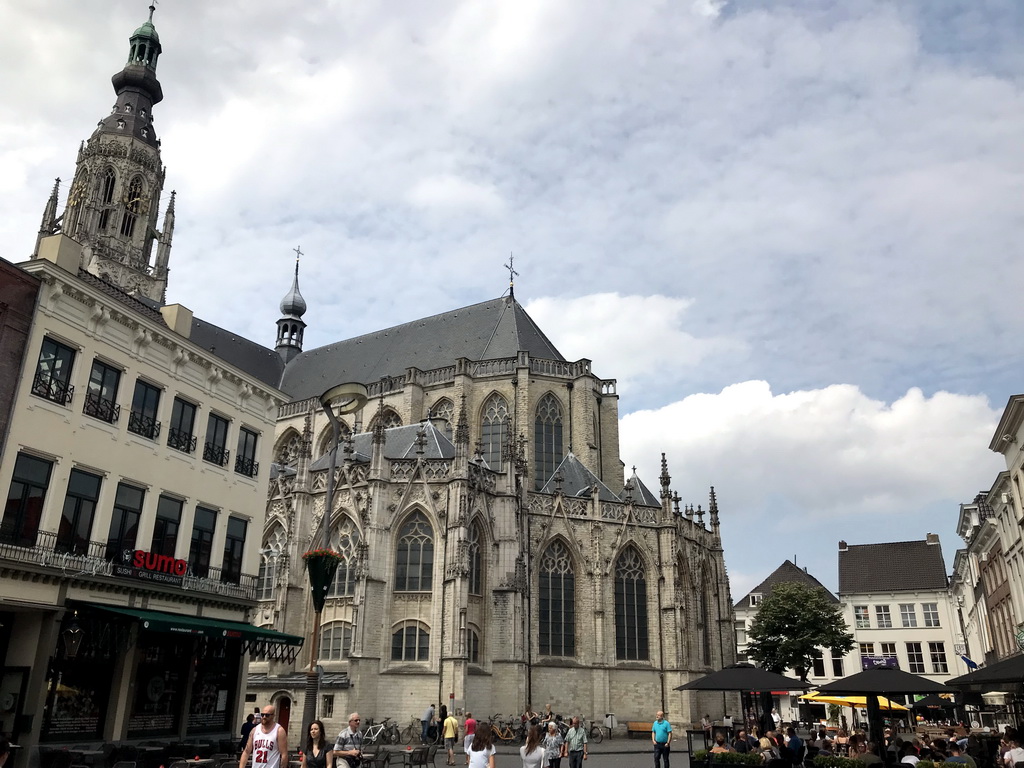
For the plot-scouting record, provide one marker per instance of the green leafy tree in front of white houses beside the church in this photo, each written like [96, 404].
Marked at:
[793, 623]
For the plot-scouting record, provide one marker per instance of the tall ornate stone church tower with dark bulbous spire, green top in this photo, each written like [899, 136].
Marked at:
[113, 205]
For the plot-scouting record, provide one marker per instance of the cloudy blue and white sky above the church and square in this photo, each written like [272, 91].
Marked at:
[790, 230]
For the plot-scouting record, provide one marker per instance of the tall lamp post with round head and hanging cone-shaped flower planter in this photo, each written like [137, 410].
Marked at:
[344, 399]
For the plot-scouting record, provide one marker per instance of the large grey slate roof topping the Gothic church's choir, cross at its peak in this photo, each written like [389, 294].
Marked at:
[491, 330]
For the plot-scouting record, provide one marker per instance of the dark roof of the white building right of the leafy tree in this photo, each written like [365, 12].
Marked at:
[891, 567]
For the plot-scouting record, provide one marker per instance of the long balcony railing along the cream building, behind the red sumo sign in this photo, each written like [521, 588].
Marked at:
[90, 559]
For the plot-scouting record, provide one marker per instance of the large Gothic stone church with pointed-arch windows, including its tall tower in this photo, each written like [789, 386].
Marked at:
[495, 553]
